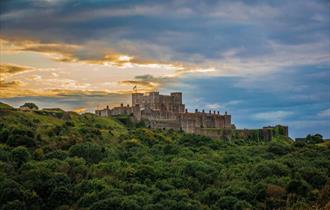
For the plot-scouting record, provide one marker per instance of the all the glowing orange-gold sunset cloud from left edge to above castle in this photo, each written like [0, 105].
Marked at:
[81, 54]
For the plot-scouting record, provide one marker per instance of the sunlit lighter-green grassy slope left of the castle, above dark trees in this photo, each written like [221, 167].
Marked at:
[47, 123]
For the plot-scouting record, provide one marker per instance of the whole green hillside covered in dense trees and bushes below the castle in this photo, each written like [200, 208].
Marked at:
[50, 159]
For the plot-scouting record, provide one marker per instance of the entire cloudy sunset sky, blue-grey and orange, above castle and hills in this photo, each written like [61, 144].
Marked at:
[265, 62]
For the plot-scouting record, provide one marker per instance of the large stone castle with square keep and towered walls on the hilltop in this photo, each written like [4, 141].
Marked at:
[168, 112]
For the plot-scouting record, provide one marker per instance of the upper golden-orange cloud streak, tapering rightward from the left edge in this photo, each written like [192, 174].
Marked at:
[78, 53]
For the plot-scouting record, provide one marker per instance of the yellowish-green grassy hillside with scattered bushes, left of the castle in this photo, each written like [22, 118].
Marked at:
[54, 126]
